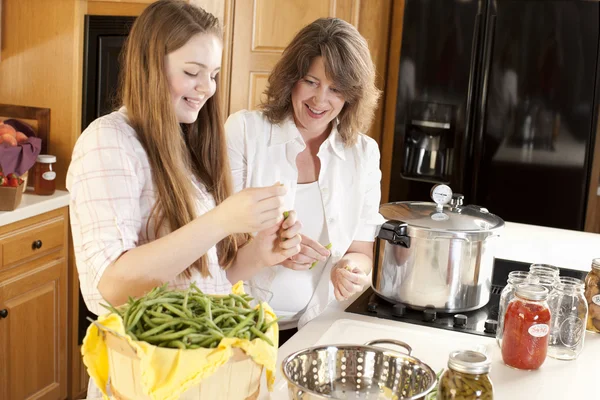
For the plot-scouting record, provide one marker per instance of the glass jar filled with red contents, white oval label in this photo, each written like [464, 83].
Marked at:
[526, 328]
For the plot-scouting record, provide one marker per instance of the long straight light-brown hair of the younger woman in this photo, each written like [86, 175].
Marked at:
[163, 27]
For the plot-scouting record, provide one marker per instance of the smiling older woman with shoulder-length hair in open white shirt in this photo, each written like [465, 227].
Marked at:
[321, 95]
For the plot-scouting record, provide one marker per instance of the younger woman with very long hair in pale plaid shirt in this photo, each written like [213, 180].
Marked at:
[150, 183]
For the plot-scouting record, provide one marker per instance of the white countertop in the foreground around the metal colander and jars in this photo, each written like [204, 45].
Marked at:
[554, 380]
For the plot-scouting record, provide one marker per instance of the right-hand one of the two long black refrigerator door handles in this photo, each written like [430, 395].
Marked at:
[480, 113]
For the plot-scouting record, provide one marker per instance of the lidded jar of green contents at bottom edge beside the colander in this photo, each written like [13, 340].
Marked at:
[467, 377]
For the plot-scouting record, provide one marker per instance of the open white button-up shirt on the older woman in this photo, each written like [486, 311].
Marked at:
[261, 154]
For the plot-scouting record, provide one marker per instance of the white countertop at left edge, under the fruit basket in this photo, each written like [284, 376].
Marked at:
[32, 205]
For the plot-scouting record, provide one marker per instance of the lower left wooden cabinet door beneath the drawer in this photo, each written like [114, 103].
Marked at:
[33, 334]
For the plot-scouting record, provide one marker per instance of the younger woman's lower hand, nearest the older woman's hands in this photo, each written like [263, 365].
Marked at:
[278, 243]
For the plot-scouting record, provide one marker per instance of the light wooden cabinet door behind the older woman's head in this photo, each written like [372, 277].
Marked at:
[262, 29]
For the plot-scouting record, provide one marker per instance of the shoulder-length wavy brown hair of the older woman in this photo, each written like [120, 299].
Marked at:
[347, 63]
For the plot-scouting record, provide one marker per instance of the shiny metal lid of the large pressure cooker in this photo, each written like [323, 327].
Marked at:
[425, 216]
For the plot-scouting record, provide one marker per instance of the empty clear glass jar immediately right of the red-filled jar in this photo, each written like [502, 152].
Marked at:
[569, 310]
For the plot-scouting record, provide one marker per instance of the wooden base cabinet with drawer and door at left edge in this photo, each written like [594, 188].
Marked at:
[33, 308]
